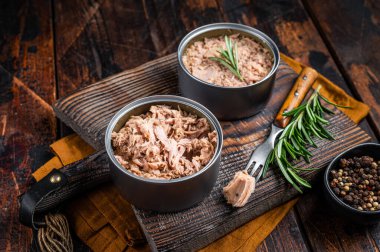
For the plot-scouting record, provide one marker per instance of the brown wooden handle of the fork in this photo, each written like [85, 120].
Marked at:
[296, 95]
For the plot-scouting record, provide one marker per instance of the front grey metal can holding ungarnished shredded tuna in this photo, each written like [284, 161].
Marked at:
[158, 194]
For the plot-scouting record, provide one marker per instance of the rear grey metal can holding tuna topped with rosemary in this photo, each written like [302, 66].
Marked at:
[227, 103]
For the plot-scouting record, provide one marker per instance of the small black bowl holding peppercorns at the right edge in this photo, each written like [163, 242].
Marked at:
[352, 214]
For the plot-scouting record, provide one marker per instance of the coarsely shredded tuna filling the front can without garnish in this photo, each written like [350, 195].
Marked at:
[164, 143]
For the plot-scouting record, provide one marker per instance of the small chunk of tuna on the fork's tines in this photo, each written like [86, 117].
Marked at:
[240, 188]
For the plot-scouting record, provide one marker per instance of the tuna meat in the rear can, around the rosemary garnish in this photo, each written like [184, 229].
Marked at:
[255, 61]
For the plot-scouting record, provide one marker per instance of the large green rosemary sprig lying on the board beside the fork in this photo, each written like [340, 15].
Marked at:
[307, 123]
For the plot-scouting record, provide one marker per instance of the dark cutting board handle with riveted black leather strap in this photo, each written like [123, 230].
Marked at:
[61, 185]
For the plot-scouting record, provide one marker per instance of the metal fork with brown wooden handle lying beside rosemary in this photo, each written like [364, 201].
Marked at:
[293, 100]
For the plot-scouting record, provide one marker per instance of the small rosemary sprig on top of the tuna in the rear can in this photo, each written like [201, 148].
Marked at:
[229, 58]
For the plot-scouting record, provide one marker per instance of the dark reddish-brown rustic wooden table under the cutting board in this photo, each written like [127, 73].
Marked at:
[49, 48]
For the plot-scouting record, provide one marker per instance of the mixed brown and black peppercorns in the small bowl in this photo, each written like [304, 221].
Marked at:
[357, 182]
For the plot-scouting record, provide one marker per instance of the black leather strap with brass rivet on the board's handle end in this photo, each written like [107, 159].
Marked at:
[36, 194]
